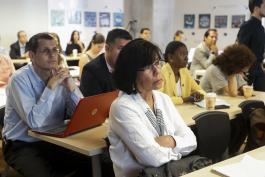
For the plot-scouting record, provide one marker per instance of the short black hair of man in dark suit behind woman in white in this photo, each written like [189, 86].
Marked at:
[117, 34]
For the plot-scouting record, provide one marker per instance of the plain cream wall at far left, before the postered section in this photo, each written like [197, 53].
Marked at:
[28, 15]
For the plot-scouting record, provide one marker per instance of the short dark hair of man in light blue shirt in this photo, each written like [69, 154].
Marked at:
[34, 41]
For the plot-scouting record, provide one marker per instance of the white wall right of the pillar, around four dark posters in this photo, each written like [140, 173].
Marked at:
[214, 7]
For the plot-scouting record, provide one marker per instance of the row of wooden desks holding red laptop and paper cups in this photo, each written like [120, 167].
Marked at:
[91, 143]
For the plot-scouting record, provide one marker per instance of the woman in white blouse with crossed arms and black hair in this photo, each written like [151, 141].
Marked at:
[145, 128]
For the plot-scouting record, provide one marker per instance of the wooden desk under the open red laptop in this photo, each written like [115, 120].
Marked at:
[89, 142]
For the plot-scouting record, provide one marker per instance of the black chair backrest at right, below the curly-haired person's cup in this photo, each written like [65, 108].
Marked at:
[250, 105]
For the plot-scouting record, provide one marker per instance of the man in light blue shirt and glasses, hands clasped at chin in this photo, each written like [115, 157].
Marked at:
[40, 94]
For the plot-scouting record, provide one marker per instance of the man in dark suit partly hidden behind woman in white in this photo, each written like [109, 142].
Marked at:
[96, 77]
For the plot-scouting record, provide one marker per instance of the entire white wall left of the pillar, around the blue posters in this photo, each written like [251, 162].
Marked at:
[33, 16]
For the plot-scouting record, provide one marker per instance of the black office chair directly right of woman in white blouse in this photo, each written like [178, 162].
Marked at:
[213, 134]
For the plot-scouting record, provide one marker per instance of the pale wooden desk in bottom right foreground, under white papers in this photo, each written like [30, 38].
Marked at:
[207, 172]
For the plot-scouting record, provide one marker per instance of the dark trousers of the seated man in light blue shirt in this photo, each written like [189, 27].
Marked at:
[41, 159]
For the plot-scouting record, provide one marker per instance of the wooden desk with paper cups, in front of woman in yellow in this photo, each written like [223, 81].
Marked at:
[187, 111]
